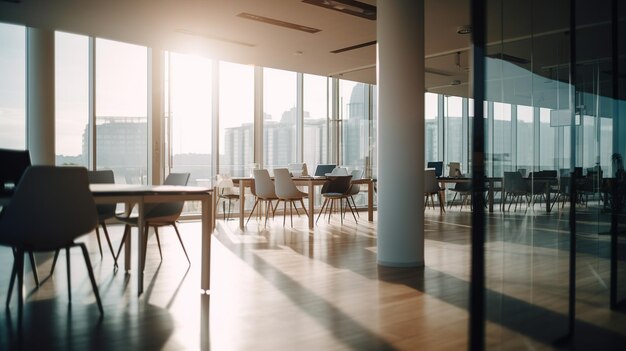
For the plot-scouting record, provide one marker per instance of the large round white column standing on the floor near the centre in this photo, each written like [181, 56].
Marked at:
[400, 32]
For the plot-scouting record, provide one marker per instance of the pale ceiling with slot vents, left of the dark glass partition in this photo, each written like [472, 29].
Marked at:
[213, 28]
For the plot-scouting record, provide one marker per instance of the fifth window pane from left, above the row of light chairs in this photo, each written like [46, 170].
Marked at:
[236, 119]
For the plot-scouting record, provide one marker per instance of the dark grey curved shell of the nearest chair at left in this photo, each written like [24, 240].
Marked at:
[51, 207]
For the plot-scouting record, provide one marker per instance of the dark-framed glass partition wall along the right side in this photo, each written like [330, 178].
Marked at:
[554, 138]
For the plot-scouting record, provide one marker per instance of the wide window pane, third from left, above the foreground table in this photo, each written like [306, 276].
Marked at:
[121, 110]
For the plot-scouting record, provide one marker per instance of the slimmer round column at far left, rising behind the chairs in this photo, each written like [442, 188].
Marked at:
[40, 95]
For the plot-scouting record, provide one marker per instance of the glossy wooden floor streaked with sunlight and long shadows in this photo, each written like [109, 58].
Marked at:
[283, 288]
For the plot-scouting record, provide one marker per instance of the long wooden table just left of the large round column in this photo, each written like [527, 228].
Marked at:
[310, 183]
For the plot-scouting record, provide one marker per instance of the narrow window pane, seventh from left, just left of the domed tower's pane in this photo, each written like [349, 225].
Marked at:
[315, 137]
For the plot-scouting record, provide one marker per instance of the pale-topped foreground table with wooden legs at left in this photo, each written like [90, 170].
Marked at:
[143, 194]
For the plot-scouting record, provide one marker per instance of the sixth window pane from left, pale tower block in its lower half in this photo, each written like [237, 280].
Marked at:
[279, 117]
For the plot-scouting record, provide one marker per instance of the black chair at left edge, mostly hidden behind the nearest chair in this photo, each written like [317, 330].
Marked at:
[13, 163]
